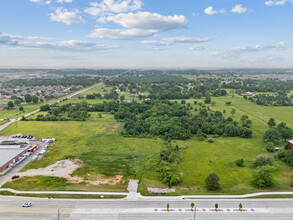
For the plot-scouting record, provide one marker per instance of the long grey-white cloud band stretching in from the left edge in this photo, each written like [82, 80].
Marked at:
[70, 45]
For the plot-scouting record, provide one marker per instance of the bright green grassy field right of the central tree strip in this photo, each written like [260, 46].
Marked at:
[201, 158]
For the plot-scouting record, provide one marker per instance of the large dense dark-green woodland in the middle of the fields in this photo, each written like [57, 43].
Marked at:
[174, 121]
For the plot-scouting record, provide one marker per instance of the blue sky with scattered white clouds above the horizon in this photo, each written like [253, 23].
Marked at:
[146, 33]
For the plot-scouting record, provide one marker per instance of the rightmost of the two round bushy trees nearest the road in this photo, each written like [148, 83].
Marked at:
[263, 178]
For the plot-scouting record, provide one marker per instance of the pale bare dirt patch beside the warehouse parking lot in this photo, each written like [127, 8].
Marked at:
[64, 169]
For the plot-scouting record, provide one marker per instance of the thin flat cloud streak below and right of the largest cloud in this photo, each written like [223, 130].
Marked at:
[174, 40]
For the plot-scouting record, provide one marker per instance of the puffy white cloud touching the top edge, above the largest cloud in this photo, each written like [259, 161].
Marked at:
[113, 6]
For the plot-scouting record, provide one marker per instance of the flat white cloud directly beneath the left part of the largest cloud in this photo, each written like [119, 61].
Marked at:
[120, 34]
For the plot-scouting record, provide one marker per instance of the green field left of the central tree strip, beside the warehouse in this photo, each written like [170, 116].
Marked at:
[96, 142]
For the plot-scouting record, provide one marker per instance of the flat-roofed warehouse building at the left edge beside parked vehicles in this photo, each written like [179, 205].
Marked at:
[8, 156]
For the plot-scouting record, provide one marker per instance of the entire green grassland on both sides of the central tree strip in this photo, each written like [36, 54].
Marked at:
[98, 143]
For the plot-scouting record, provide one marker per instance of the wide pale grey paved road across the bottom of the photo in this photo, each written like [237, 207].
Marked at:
[10, 208]
